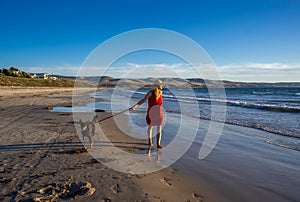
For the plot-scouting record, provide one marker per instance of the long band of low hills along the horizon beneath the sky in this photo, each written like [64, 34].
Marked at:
[16, 77]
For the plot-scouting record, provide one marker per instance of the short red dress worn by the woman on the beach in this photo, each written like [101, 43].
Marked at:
[155, 114]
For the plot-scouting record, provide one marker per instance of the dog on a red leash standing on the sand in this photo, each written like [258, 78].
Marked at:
[88, 130]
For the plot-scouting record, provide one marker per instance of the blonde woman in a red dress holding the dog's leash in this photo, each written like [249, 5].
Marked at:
[154, 113]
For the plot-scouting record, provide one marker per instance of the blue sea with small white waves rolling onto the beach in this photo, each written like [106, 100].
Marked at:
[274, 110]
